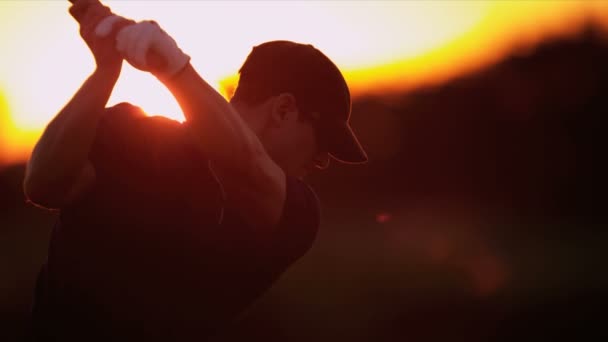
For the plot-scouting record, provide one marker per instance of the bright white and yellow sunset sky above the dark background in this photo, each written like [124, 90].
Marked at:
[380, 46]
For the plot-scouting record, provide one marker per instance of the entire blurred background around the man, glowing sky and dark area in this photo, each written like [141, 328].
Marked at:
[480, 215]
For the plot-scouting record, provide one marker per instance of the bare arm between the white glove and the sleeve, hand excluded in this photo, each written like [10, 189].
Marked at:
[253, 182]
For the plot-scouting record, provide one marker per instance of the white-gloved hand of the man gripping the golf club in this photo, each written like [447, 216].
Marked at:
[147, 47]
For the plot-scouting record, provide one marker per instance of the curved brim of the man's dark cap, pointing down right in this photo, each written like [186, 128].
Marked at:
[345, 146]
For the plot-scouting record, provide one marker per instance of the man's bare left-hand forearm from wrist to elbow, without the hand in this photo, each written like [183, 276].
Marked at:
[62, 150]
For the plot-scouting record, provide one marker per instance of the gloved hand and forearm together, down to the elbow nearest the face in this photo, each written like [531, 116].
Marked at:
[219, 130]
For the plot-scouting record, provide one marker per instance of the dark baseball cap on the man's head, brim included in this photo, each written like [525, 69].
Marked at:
[317, 84]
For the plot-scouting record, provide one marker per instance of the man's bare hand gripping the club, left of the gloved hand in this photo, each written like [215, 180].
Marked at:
[98, 28]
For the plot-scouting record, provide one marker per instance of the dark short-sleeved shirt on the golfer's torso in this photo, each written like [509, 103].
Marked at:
[151, 251]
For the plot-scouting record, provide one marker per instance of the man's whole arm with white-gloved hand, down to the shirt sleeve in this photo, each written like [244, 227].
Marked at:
[253, 182]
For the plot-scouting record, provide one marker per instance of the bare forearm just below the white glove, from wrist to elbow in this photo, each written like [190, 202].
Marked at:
[219, 130]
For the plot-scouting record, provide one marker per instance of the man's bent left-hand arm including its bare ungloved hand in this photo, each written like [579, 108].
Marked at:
[58, 169]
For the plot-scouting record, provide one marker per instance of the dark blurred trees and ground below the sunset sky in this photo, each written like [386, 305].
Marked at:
[479, 217]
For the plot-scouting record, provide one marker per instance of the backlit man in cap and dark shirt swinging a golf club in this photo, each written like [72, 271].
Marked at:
[167, 231]
